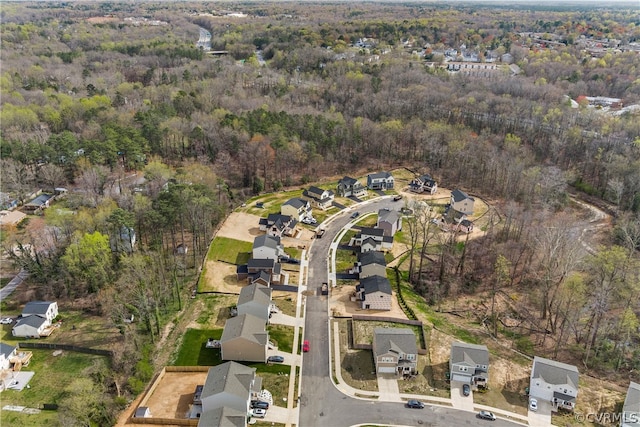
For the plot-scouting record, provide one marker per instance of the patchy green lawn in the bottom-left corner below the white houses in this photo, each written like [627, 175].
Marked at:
[52, 375]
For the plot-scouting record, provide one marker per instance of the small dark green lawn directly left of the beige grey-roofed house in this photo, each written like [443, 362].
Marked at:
[193, 351]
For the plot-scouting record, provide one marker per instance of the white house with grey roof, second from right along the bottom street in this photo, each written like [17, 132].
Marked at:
[554, 382]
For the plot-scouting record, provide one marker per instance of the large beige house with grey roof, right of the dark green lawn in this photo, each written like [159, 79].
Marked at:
[244, 338]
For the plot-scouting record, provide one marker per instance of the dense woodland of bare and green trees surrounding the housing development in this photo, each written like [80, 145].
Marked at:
[289, 94]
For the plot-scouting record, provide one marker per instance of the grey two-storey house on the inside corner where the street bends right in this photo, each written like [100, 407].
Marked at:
[395, 351]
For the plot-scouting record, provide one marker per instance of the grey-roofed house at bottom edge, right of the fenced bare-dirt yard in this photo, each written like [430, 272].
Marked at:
[226, 395]
